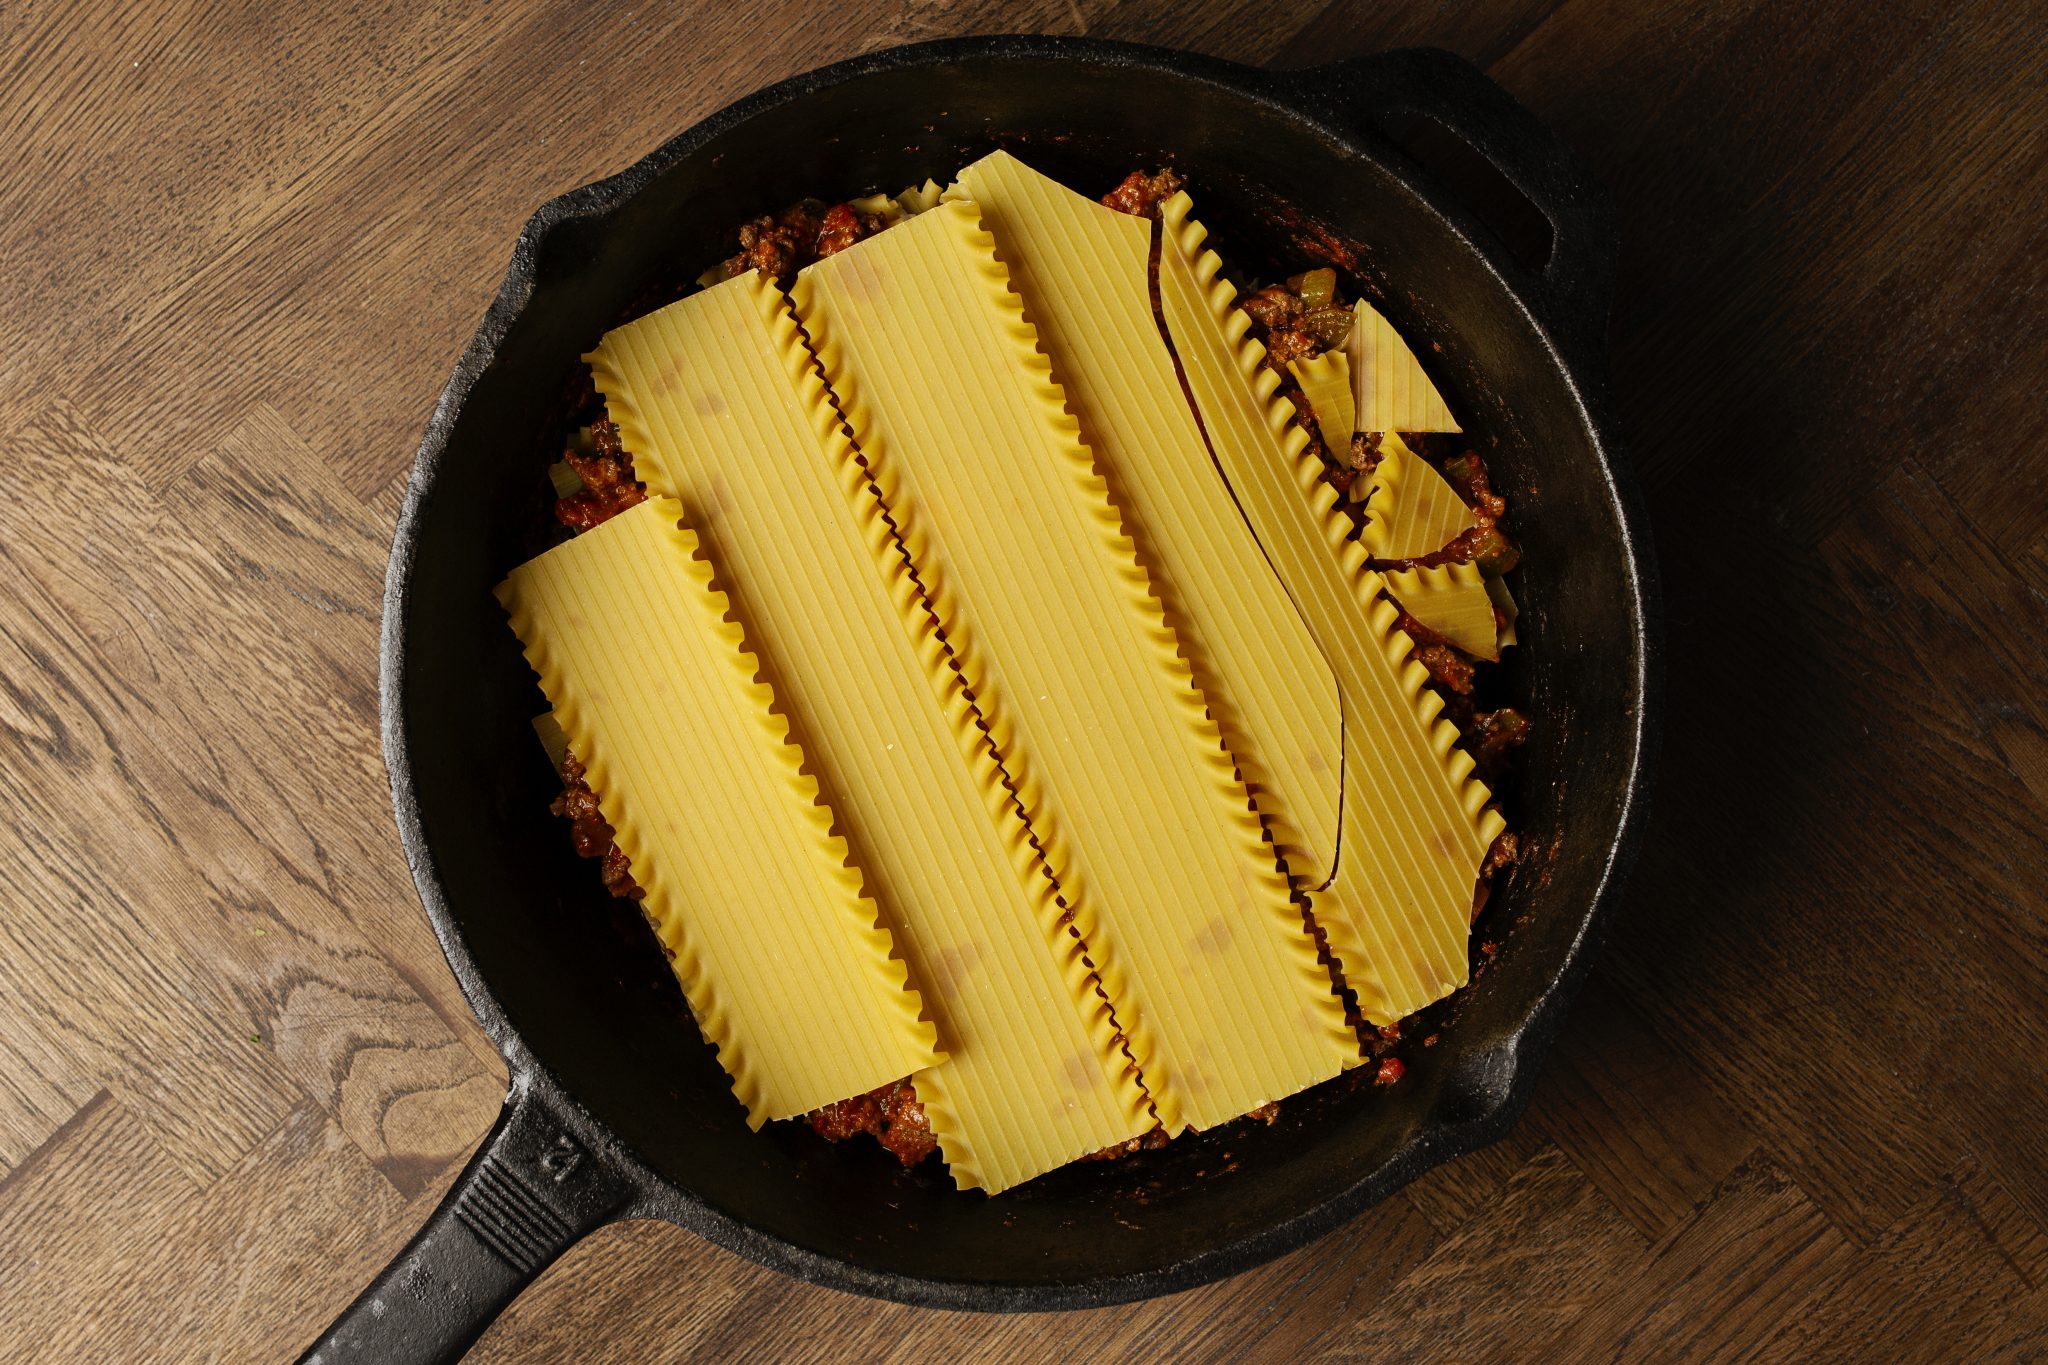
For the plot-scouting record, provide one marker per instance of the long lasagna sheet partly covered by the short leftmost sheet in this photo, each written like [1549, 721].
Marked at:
[720, 406]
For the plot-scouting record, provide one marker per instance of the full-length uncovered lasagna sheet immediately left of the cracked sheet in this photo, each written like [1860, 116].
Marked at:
[1097, 719]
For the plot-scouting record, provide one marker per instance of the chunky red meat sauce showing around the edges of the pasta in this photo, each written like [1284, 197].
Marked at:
[1293, 320]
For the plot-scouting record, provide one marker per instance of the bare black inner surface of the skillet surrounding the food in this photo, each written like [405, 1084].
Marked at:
[574, 971]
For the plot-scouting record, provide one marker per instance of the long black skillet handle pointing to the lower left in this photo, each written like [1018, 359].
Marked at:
[527, 1196]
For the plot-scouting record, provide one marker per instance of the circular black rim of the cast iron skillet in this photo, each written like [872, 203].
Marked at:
[1504, 1075]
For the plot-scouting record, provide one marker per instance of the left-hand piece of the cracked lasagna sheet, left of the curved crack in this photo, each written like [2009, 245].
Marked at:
[1084, 275]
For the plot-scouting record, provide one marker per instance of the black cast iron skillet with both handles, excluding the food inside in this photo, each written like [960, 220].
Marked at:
[617, 1108]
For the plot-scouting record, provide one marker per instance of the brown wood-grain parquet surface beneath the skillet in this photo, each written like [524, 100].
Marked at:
[1801, 1110]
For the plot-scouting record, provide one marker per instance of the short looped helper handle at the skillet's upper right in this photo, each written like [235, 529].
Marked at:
[1570, 294]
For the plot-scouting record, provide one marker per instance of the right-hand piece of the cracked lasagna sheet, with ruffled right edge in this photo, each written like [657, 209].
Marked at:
[1414, 820]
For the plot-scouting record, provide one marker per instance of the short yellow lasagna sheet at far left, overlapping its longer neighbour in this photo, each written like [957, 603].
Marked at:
[777, 949]
